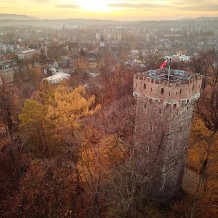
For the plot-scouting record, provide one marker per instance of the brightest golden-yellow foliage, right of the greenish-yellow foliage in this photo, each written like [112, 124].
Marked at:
[70, 107]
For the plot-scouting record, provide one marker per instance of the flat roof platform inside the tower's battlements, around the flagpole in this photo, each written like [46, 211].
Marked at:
[163, 75]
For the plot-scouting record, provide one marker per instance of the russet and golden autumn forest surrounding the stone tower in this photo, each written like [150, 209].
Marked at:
[68, 150]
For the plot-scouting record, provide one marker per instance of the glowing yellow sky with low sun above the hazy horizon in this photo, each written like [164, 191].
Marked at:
[112, 9]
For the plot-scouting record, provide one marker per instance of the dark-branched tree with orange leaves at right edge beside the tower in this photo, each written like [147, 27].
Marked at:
[205, 129]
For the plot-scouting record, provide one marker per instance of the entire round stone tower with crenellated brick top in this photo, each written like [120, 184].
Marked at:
[164, 107]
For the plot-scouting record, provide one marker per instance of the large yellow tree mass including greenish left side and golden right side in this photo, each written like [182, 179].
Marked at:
[56, 114]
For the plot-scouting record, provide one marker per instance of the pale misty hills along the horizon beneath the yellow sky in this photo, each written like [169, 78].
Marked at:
[8, 20]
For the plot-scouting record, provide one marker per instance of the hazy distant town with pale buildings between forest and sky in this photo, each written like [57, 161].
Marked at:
[63, 46]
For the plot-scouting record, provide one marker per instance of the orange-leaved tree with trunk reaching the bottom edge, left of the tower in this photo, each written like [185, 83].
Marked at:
[98, 155]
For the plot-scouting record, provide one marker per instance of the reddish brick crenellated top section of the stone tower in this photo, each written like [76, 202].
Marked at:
[181, 85]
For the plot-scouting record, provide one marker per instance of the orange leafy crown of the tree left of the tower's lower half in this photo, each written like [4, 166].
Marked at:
[99, 158]
